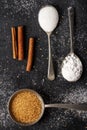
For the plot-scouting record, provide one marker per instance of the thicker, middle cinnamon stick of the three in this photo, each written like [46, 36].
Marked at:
[20, 43]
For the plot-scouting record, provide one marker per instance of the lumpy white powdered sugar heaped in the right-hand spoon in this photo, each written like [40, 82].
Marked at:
[72, 68]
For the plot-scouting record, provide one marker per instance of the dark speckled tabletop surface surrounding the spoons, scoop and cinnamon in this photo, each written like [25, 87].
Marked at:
[12, 72]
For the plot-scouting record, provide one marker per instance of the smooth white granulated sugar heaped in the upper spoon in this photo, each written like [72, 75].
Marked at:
[48, 18]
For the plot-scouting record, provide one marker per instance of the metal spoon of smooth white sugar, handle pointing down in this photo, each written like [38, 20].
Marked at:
[48, 19]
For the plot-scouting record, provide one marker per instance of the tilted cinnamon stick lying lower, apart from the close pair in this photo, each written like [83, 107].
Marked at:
[30, 54]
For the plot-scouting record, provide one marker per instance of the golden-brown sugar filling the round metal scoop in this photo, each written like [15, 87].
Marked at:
[25, 107]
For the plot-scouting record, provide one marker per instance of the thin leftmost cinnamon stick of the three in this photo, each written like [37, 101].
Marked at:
[14, 42]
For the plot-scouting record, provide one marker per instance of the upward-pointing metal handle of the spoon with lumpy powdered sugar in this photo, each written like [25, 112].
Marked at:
[71, 23]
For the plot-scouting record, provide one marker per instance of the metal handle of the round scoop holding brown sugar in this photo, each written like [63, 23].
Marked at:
[78, 107]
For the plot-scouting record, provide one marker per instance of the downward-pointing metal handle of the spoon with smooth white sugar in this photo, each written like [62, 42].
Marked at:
[51, 75]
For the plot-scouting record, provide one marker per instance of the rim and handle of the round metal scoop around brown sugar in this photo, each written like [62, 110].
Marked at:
[78, 107]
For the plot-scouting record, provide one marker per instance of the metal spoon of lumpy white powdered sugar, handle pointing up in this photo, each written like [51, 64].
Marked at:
[72, 66]
